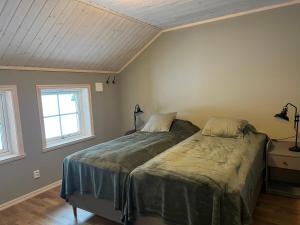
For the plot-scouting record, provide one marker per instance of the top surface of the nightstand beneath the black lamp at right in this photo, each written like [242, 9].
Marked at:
[282, 148]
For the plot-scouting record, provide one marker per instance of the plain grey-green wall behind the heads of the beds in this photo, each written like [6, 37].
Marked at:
[245, 67]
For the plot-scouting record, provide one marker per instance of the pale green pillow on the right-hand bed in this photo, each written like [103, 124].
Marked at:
[224, 127]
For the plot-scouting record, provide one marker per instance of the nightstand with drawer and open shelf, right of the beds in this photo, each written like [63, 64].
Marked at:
[283, 170]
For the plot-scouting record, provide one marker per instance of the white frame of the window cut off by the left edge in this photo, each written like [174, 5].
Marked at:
[15, 148]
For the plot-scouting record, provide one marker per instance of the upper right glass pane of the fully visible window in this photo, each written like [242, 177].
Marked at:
[68, 103]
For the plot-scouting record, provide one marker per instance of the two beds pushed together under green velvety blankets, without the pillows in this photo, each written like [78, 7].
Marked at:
[180, 177]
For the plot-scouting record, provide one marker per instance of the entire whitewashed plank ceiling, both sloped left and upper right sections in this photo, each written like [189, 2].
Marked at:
[96, 35]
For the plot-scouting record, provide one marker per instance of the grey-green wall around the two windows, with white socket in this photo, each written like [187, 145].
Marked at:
[16, 177]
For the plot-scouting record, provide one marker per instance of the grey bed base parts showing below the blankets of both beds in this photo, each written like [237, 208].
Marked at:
[105, 208]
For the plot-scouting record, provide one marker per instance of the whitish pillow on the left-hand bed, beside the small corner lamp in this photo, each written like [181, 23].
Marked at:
[159, 122]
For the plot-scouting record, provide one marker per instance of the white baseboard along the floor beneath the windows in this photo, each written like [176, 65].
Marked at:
[29, 195]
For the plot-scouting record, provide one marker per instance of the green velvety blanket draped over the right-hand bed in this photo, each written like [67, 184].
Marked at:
[203, 180]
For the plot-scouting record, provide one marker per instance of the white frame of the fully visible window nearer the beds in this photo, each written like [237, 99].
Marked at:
[71, 139]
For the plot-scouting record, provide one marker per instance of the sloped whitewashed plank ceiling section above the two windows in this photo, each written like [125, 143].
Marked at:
[68, 34]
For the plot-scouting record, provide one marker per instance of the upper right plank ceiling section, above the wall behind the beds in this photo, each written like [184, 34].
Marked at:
[170, 13]
